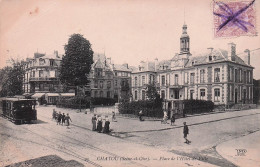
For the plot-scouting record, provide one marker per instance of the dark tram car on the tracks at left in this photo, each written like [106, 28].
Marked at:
[18, 110]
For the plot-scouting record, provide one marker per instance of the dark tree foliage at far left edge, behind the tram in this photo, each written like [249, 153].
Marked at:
[11, 80]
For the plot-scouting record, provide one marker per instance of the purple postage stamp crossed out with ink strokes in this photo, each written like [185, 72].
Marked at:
[234, 18]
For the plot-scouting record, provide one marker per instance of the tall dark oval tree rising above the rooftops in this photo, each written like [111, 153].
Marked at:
[77, 61]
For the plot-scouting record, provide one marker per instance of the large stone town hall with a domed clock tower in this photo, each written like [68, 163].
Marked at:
[219, 75]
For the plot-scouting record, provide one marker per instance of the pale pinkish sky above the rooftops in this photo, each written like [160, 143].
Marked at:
[128, 31]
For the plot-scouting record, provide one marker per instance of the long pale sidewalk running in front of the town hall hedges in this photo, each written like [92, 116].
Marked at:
[128, 125]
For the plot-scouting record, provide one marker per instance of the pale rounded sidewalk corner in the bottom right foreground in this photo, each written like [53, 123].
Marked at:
[252, 150]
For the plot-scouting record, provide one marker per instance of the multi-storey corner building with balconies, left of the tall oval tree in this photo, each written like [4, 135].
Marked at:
[41, 73]
